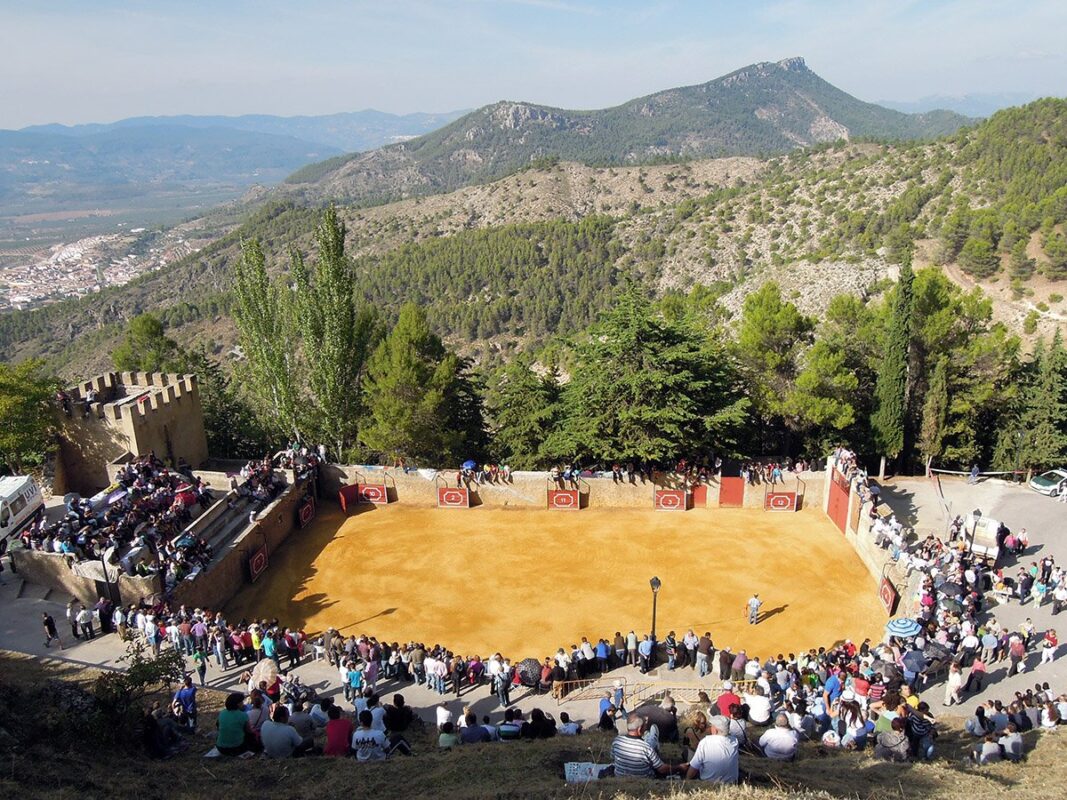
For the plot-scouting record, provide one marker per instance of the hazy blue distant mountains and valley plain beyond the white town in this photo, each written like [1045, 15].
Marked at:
[153, 170]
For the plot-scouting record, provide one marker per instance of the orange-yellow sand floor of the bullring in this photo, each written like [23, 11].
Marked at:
[527, 583]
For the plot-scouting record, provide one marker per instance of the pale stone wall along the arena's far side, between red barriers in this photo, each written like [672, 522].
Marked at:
[529, 490]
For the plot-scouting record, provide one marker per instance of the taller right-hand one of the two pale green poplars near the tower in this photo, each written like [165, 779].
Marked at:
[337, 337]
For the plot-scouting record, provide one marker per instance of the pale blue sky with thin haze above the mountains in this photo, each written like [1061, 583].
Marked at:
[102, 60]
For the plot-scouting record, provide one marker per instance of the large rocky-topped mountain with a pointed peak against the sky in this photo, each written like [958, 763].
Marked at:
[762, 109]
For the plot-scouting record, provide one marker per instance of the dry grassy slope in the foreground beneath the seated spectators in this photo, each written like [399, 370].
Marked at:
[519, 771]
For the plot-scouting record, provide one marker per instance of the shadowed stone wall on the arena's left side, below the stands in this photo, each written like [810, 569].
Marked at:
[229, 573]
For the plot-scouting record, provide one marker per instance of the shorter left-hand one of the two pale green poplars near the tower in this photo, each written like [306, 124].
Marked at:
[263, 321]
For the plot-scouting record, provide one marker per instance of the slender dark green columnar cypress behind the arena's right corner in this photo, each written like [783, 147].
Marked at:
[891, 390]
